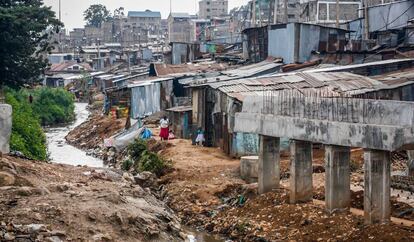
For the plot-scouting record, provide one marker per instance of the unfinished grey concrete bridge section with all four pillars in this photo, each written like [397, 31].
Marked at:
[378, 126]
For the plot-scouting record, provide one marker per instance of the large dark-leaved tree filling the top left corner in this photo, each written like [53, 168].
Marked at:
[26, 27]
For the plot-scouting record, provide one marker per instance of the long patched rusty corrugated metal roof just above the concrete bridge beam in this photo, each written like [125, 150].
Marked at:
[338, 83]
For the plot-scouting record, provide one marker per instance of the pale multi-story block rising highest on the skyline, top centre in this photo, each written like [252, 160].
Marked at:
[213, 8]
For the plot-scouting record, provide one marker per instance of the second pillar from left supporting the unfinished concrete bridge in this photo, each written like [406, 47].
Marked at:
[300, 171]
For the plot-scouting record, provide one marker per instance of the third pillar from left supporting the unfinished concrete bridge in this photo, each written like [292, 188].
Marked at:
[337, 180]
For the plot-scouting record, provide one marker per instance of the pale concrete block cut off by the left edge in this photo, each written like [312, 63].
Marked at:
[5, 127]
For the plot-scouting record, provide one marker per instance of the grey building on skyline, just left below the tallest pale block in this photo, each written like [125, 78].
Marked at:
[179, 27]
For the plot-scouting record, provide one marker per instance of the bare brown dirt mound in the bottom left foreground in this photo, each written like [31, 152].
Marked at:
[52, 202]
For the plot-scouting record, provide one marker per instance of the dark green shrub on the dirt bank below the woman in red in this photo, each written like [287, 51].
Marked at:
[143, 159]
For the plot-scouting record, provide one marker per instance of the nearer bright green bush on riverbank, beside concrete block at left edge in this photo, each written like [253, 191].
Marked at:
[27, 134]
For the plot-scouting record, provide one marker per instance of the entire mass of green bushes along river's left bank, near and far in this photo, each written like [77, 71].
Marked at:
[49, 106]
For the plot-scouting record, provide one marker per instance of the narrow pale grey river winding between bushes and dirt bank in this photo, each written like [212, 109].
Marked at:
[60, 151]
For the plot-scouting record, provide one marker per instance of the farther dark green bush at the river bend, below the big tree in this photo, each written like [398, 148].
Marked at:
[53, 105]
